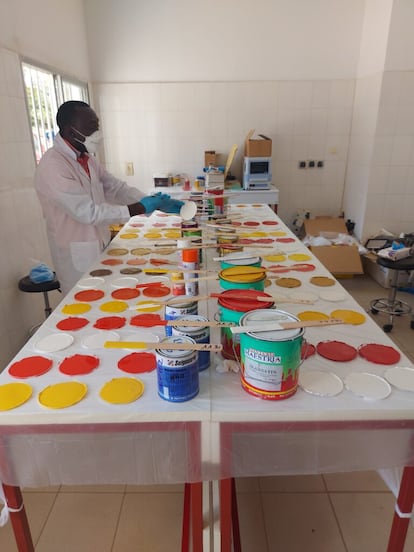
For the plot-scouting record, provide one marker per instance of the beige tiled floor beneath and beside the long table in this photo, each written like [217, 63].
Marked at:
[317, 513]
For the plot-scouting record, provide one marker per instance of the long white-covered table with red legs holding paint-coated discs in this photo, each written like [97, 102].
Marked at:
[222, 433]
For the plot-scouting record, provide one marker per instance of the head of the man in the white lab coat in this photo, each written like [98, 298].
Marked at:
[76, 120]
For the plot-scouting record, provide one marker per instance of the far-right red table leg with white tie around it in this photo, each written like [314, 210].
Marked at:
[405, 502]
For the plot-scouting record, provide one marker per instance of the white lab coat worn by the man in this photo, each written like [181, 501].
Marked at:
[78, 209]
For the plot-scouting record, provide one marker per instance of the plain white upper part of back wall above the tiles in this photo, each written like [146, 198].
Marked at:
[186, 40]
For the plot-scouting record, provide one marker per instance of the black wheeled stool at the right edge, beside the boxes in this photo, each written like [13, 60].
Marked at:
[391, 305]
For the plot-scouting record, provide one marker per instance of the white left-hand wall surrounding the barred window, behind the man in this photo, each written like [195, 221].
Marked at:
[51, 33]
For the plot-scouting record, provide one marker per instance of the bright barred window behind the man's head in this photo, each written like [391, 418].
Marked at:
[45, 92]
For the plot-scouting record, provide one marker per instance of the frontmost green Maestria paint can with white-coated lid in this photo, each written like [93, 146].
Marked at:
[270, 360]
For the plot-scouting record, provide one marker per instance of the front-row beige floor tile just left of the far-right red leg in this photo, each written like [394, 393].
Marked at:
[365, 520]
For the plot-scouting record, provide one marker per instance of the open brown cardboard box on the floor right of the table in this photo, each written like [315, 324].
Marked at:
[340, 260]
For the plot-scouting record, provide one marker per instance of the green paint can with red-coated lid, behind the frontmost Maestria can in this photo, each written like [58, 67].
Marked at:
[233, 304]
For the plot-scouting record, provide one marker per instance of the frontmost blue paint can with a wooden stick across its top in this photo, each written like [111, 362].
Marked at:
[177, 370]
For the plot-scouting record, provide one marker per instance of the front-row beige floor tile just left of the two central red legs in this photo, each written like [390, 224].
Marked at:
[149, 522]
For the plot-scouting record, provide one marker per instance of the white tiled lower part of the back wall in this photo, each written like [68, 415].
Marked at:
[167, 126]
